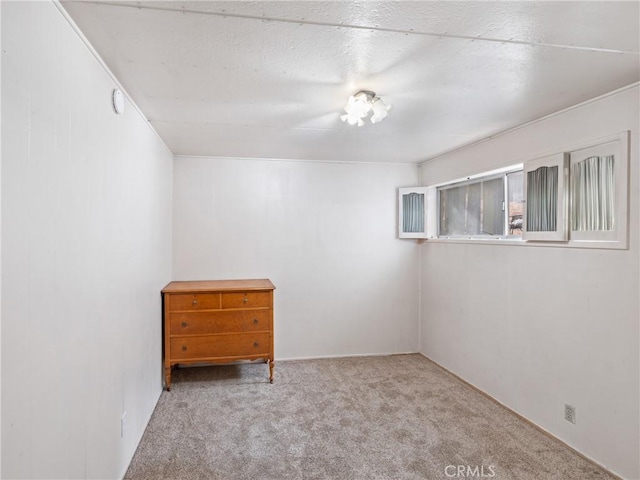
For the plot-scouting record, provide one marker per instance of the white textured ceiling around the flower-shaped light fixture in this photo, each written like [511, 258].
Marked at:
[269, 79]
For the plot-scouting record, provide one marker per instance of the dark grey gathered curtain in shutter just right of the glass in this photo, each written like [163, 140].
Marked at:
[542, 199]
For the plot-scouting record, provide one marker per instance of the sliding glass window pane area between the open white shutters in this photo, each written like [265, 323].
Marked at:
[482, 206]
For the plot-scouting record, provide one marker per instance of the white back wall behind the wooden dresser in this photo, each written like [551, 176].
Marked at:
[324, 233]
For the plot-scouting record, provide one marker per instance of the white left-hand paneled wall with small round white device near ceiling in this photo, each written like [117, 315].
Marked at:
[86, 246]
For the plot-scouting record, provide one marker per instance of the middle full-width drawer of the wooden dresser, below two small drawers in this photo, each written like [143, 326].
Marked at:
[191, 323]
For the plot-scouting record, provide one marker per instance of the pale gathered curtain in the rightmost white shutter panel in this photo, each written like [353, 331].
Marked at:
[593, 194]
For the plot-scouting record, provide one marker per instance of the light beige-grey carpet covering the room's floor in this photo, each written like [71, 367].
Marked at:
[395, 417]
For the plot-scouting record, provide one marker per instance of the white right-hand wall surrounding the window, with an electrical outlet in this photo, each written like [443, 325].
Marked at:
[538, 327]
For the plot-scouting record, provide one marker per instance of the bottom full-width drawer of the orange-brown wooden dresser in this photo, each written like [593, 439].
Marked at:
[211, 346]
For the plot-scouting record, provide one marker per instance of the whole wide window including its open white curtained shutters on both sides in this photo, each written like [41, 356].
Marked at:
[578, 197]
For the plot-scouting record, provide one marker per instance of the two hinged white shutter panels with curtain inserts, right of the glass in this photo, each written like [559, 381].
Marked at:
[579, 196]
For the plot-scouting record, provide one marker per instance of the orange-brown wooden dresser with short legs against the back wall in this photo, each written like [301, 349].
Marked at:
[217, 321]
